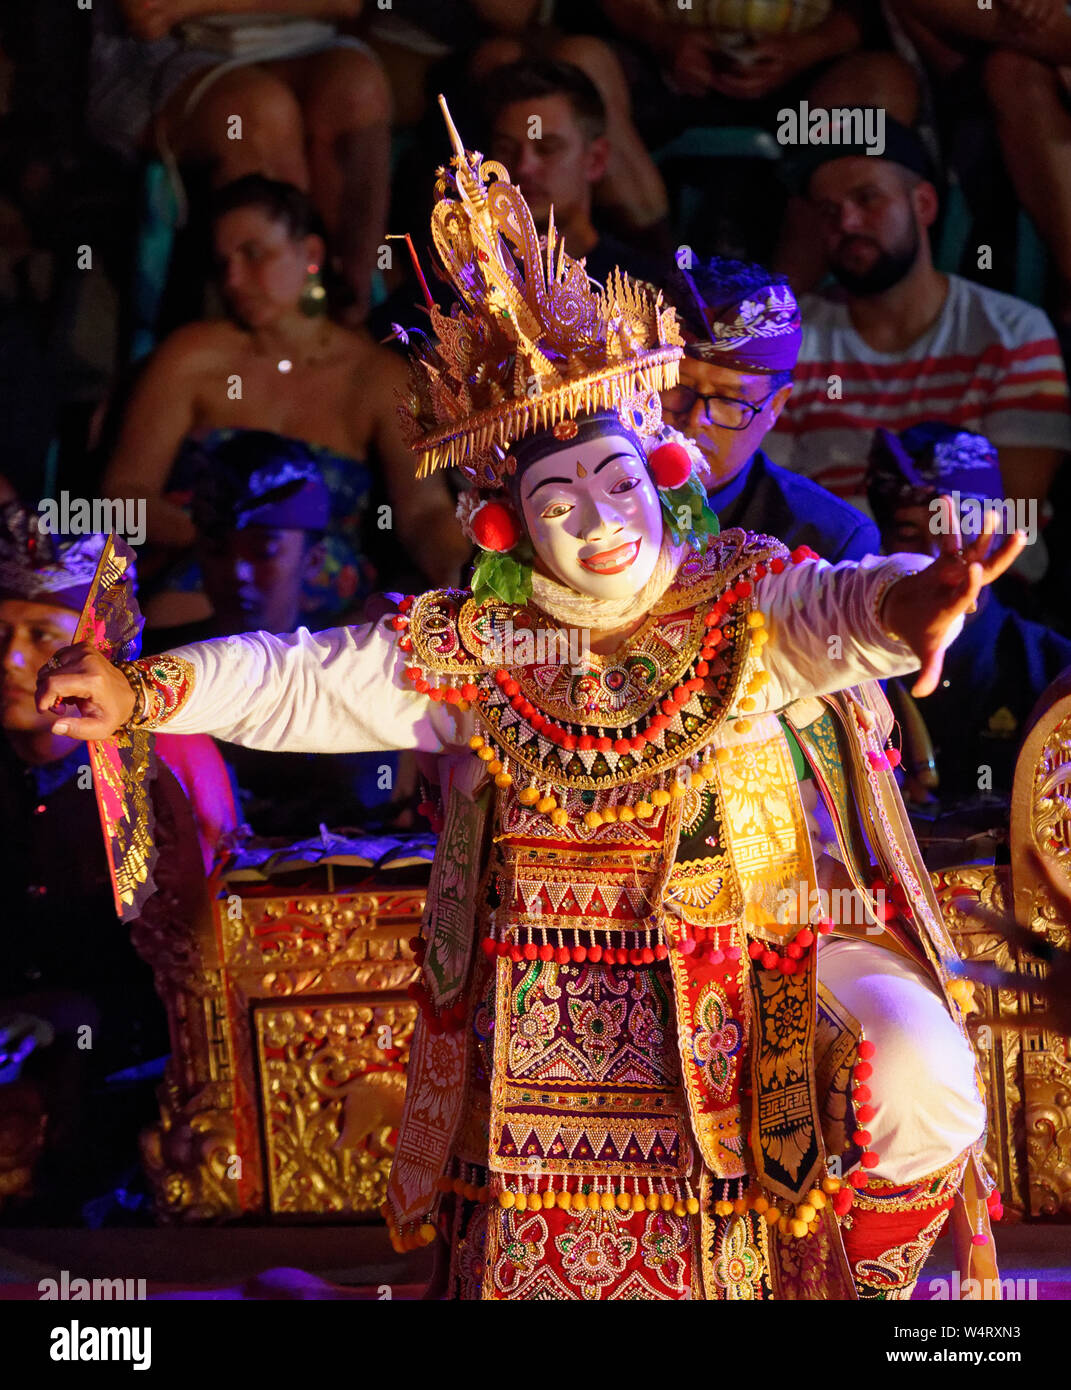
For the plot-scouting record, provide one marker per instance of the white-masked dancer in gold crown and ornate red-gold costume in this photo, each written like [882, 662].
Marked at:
[649, 1063]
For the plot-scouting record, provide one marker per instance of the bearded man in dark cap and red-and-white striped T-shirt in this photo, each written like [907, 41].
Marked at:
[905, 344]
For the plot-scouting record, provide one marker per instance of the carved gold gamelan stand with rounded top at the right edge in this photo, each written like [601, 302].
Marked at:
[1029, 1075]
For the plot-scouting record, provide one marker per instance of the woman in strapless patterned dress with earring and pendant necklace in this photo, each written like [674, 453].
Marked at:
[279, 366]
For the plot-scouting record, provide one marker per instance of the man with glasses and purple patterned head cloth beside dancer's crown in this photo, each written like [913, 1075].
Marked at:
[742, 330]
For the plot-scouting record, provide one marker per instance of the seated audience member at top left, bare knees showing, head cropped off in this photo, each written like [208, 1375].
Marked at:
[310, 108]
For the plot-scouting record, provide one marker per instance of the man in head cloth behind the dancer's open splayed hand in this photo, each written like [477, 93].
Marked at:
[1001, 665]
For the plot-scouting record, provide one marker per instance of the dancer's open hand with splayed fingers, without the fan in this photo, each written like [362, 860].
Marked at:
[923, 608]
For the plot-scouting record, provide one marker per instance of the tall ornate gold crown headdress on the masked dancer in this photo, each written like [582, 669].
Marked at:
[534, 343]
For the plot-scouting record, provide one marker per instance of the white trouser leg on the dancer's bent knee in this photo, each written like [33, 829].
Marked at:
[929, 1109]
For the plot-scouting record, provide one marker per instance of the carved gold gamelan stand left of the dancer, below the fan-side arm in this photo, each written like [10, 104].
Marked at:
[291, 1033]
